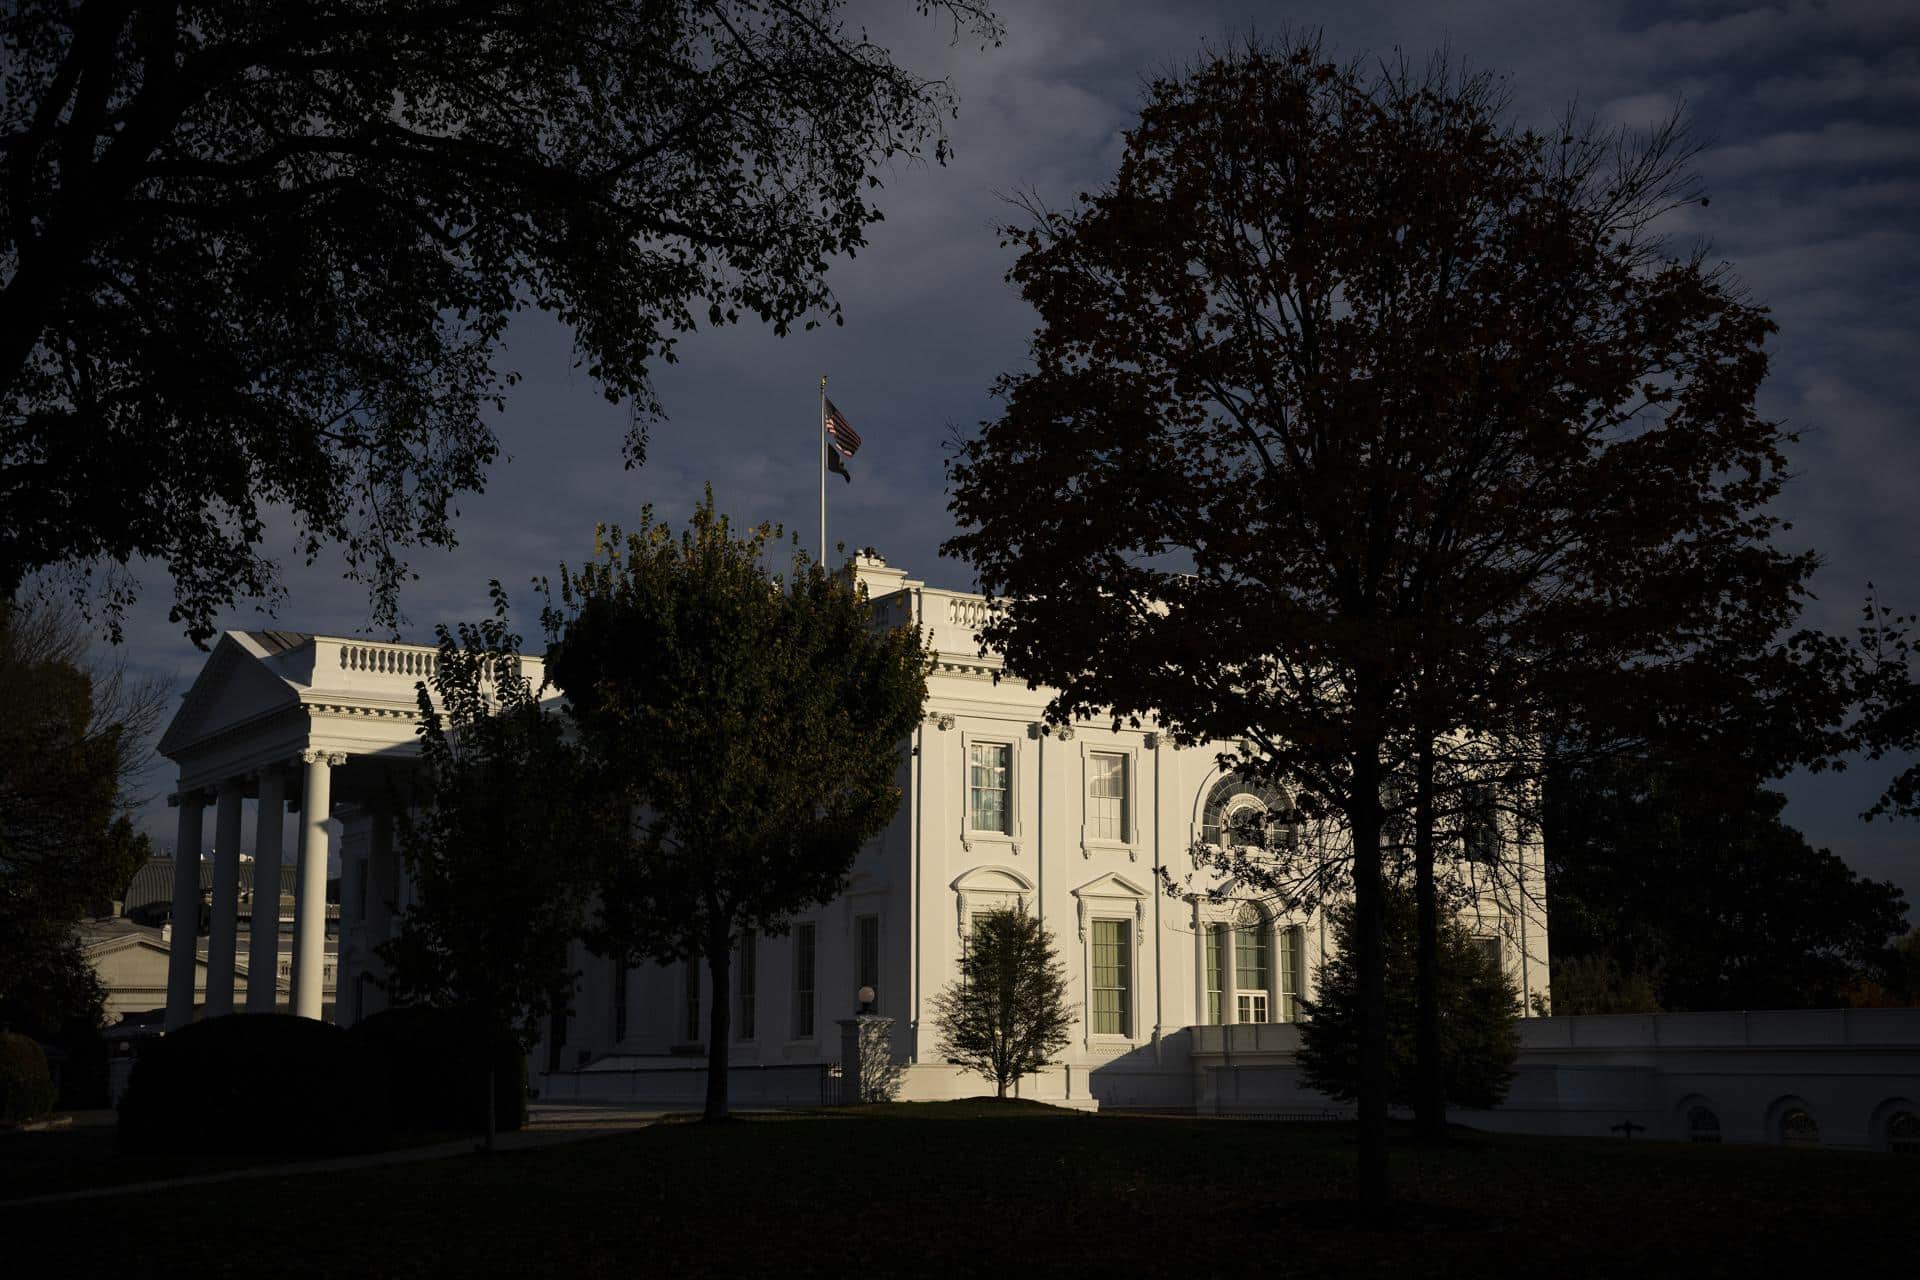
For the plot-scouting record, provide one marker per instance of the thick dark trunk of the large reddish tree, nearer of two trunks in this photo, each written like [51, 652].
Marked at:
[1370, 959]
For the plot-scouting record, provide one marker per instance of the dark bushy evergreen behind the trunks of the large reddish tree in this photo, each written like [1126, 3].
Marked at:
[1477, 1012]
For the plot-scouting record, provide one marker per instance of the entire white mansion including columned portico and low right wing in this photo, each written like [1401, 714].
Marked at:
[1184, 999]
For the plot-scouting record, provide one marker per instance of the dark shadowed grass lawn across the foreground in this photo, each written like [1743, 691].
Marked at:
[1022, 1193]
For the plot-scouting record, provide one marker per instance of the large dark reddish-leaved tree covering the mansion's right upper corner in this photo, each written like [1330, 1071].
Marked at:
[1356, 412]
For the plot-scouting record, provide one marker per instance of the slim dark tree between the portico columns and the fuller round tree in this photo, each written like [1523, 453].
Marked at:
[500, 840]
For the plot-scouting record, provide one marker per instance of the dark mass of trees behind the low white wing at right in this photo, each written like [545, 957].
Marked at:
[1708, 893]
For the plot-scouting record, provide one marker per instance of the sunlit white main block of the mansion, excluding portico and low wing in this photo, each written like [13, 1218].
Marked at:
[1082, 826]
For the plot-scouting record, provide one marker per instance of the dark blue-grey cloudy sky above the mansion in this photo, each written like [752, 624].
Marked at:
[1812, 112]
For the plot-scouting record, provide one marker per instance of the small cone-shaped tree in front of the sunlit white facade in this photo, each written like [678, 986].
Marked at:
[1007, 1016]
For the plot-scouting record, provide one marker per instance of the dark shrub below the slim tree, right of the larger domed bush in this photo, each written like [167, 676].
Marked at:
[435, 1064]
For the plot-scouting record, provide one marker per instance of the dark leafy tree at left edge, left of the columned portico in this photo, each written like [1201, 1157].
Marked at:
[72, 747]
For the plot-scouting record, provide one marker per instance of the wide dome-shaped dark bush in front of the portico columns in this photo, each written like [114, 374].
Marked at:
[256, 1085]
